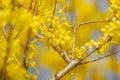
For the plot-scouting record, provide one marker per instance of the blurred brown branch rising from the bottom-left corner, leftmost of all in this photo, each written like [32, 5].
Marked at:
[3, 72]
